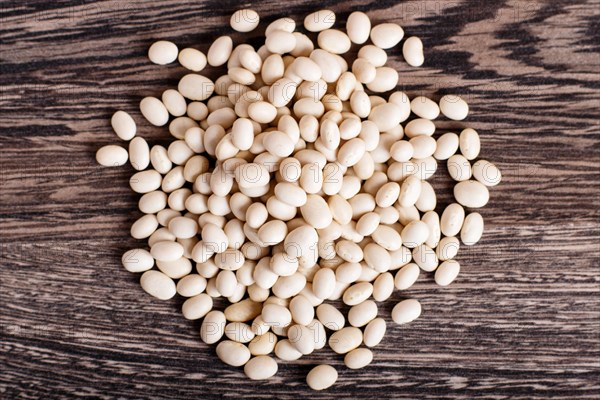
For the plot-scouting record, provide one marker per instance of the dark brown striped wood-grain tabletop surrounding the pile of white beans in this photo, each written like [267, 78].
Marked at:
[521, 321]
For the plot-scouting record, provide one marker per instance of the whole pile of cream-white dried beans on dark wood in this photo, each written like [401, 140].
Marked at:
[288, 185]
